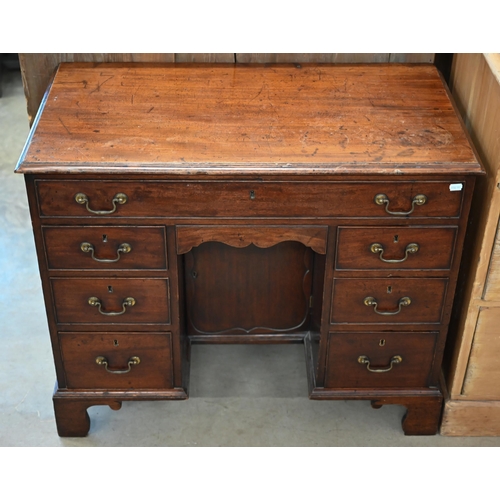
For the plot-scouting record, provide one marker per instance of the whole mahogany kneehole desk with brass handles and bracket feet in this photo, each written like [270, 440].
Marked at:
[316, 204]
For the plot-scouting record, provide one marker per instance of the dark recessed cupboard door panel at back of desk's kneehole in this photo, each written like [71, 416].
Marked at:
[248, 290]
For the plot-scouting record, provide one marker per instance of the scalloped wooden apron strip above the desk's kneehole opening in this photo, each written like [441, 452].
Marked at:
[188, 237]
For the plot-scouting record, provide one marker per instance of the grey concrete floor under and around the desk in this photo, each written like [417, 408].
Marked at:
[266, 404]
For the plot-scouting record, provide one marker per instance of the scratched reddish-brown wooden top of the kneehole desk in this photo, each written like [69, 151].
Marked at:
[254, 119]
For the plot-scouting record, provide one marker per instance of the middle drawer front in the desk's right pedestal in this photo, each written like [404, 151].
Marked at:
[388, 300]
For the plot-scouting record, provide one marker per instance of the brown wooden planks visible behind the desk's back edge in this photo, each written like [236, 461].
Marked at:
[37, 69]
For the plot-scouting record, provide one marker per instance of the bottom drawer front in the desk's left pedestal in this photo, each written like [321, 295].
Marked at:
[126, 361]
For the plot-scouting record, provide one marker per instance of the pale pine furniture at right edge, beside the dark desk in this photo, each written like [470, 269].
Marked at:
[473, 406]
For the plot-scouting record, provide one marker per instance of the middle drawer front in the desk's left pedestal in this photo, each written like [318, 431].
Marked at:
[103, 300]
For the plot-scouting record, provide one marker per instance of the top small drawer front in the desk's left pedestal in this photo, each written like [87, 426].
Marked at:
[104, 247]
